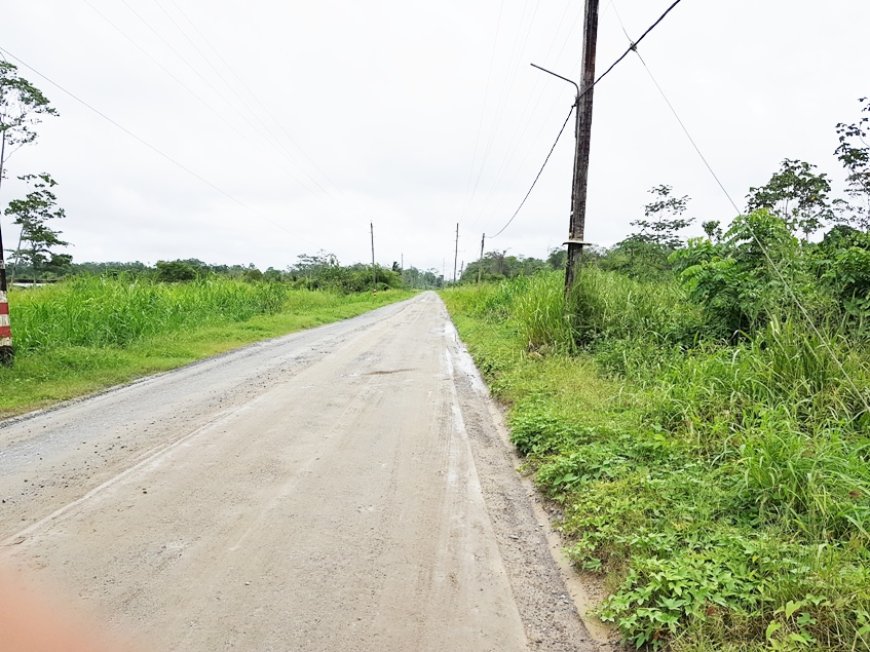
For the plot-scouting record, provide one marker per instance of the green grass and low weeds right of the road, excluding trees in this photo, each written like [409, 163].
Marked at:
[722, 489]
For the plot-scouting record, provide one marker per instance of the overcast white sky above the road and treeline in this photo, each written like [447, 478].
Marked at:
[313, 118]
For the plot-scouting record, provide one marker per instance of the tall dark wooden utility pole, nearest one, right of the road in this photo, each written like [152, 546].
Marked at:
[583, 134]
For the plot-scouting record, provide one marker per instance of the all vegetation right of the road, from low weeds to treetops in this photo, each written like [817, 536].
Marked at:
[701, 412]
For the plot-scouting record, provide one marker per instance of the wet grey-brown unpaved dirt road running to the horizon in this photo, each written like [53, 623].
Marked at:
[344, 488]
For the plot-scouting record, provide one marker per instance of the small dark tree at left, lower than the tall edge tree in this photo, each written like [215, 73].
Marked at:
[32, 214]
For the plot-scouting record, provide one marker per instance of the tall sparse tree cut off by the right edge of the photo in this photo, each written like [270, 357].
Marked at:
[854, 153]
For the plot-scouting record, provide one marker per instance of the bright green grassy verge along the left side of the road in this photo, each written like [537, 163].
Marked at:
[79, 337]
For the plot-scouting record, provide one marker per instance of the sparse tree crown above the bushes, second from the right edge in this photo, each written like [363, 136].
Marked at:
[797, 194]
